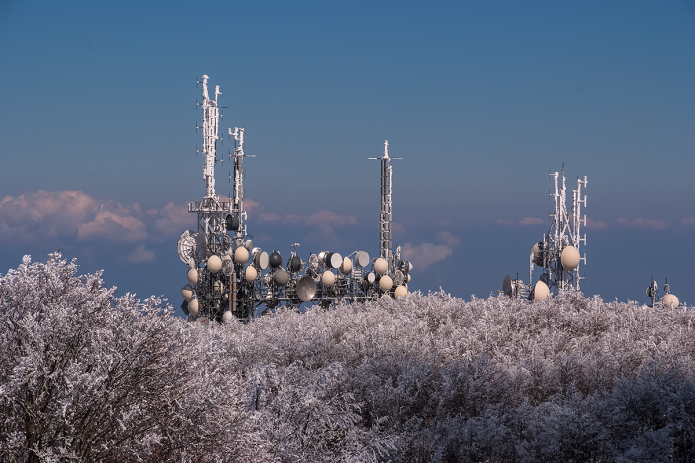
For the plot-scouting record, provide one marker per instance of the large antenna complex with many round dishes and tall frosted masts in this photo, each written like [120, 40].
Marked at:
[230, 279]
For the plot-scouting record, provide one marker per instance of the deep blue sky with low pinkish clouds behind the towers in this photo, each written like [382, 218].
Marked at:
[480, 99]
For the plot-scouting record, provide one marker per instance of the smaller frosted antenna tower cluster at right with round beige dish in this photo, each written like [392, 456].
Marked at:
[558, 254]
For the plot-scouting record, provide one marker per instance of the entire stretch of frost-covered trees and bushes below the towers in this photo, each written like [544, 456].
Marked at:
[89, 377]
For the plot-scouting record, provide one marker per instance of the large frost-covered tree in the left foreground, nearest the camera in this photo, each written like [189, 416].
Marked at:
[89, 377]
